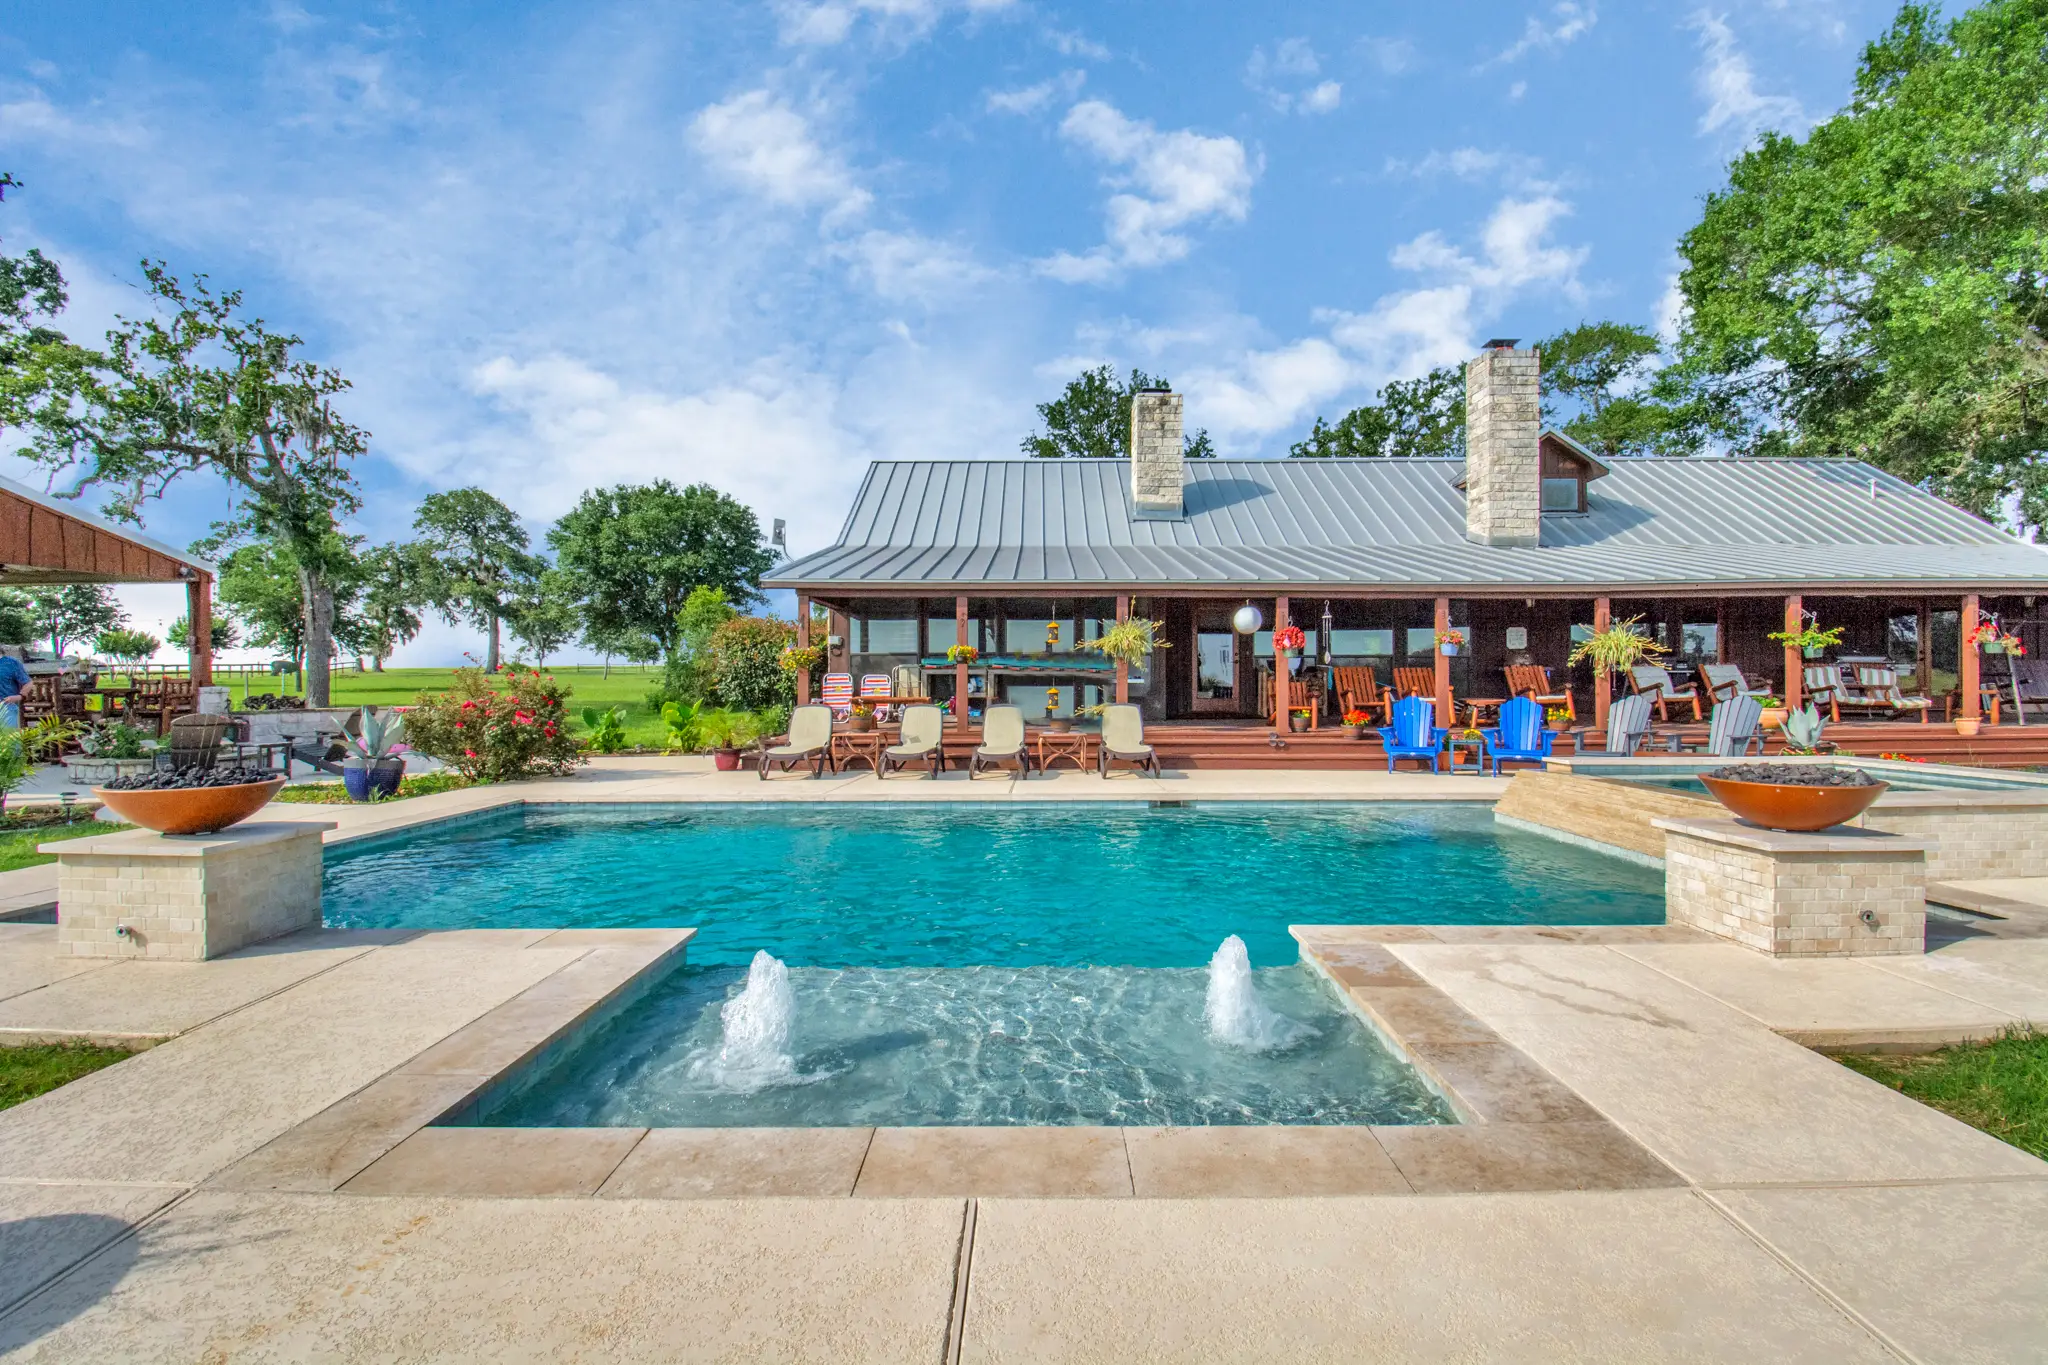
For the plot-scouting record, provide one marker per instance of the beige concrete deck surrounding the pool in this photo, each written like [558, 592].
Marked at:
[1809, 1215]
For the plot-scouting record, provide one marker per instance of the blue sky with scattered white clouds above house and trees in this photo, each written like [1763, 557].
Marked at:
[761, 245]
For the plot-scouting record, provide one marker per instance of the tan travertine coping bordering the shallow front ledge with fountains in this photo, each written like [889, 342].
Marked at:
[409, 1135]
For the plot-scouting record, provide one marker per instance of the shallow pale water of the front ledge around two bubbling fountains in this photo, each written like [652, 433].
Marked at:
[984, 1047]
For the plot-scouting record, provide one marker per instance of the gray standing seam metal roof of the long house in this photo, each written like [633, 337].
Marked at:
[1400, 525]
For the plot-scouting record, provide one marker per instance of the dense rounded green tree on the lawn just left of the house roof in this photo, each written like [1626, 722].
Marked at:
[636, 552]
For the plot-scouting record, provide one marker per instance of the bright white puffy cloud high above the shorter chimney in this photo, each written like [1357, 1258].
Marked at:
[1162, 181]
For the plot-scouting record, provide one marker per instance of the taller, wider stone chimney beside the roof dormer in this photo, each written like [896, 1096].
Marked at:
[1502, 435]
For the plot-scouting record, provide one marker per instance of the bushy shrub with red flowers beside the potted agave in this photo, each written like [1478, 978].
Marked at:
[497, 728]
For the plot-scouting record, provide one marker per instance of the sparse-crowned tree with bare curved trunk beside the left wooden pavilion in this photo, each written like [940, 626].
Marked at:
[210, 392]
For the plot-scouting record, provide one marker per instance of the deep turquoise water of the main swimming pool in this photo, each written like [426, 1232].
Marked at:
[945, 887]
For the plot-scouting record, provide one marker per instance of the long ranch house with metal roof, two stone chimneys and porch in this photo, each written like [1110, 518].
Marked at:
[1512, 556]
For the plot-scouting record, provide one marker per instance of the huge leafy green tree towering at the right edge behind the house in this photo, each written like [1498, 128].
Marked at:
[1879, 290]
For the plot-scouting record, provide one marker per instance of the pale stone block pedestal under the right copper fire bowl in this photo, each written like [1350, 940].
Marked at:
[1830, 895]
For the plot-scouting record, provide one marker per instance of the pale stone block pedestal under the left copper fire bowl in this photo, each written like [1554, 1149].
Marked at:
[187, 899]
